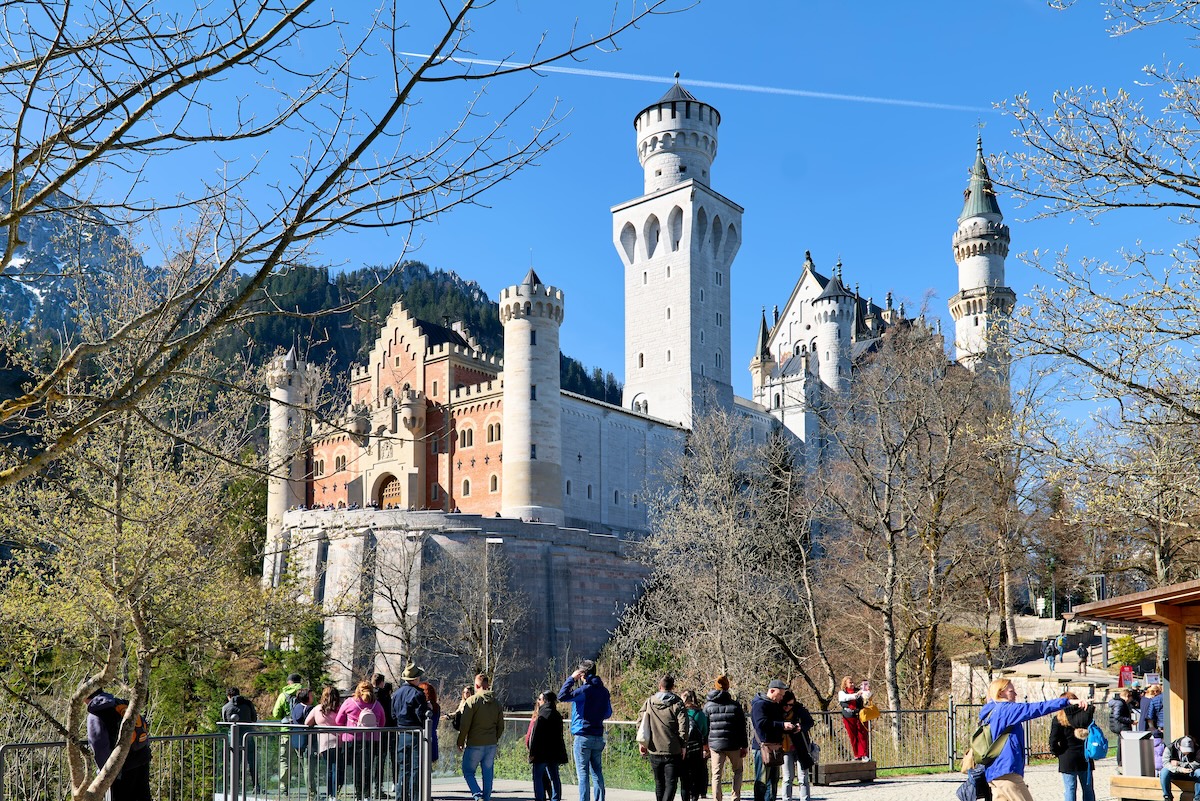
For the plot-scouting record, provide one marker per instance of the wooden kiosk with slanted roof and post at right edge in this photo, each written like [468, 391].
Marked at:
[1175, 609]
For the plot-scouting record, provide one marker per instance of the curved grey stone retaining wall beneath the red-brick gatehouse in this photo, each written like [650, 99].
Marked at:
[577, 586]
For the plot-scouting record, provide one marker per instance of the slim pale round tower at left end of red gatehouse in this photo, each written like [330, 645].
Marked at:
[292, 384]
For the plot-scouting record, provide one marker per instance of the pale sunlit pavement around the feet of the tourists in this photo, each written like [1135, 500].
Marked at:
[1043, 780]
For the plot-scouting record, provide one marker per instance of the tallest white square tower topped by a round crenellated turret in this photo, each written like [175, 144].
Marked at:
[677, 243]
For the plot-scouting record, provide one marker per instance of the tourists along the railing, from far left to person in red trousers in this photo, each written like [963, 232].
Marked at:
[370, 742]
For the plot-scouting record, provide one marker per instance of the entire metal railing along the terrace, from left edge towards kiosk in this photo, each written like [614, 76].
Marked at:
[274, 762]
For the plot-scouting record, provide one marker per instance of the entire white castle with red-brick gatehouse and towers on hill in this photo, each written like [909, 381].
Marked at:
[442, 437]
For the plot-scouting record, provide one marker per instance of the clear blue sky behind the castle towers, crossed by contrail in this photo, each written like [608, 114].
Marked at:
[880, 185]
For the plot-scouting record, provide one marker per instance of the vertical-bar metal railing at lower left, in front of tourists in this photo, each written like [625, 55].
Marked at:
[263, 762]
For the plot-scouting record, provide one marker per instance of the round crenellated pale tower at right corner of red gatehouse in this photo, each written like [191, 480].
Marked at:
[533, 407]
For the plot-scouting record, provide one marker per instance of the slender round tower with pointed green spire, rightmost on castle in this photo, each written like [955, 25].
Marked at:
[983, 305]
